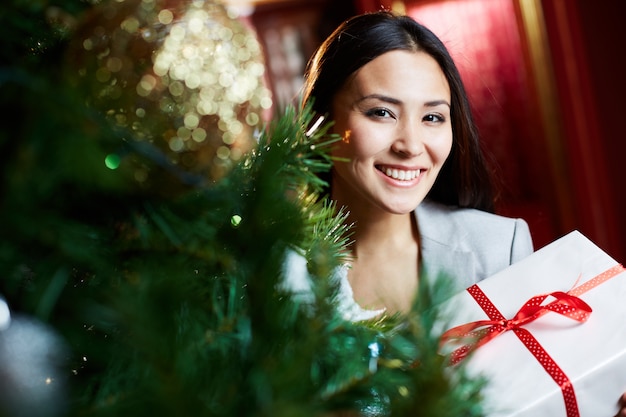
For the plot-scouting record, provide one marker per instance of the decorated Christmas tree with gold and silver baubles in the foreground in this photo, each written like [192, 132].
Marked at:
[146, 226]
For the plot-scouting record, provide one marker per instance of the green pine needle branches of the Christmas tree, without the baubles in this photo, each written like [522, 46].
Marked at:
[172, 303]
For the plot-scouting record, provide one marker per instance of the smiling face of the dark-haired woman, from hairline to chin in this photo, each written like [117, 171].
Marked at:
[394, 117]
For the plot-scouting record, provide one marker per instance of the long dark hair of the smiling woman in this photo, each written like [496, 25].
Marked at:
[464, 179]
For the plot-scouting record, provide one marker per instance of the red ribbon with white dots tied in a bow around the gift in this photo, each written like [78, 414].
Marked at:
[567, 304]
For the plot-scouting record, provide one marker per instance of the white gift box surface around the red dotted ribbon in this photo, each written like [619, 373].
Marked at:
[592, 354]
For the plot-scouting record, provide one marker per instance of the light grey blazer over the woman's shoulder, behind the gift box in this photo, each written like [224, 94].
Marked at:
[469, 245]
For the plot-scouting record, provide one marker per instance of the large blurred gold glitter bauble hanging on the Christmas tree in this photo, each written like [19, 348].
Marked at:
[183, 79]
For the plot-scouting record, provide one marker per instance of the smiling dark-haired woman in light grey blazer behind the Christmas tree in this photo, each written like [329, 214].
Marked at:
[415, 181]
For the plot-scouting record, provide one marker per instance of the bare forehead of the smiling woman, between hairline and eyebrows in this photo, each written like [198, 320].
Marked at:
[401, 73]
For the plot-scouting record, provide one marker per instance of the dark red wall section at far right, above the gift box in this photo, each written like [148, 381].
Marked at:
[587, 42]
